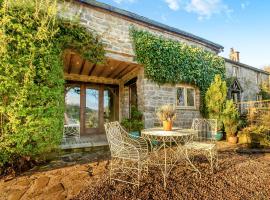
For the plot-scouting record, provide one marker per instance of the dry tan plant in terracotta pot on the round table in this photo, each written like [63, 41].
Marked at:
[166, 114]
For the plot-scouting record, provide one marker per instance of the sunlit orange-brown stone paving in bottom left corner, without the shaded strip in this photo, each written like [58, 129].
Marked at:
[63, 183]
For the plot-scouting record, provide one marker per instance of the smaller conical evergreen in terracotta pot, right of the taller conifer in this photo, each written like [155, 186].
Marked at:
[230, 121]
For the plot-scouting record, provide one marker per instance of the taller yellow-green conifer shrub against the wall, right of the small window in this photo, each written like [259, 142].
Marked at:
[215, 99]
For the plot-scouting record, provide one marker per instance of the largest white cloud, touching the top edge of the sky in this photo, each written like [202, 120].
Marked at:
[206, 8]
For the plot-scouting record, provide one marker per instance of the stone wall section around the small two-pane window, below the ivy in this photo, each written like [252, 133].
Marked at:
[152, 96]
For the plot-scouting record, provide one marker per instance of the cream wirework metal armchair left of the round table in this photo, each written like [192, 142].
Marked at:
[129, 156]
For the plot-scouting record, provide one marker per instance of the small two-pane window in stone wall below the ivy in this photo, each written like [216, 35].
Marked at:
[185, 97]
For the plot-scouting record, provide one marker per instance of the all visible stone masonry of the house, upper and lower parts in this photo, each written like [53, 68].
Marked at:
[114, 31]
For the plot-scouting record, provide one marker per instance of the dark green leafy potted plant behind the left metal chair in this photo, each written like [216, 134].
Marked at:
[134, 124]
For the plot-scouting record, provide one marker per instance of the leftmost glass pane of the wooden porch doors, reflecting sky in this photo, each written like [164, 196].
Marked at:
[72, 105]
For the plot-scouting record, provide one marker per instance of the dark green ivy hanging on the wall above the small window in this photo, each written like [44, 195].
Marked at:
[170, 61]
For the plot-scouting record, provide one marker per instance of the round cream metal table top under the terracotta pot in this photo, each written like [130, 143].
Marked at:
[174, 132]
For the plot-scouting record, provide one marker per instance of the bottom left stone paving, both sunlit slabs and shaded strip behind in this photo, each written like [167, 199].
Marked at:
[62, 178]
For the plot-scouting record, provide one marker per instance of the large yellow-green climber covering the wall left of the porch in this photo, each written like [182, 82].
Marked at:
[32, 41]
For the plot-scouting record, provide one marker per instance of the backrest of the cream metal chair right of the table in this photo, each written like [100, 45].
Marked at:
[207, 129]
